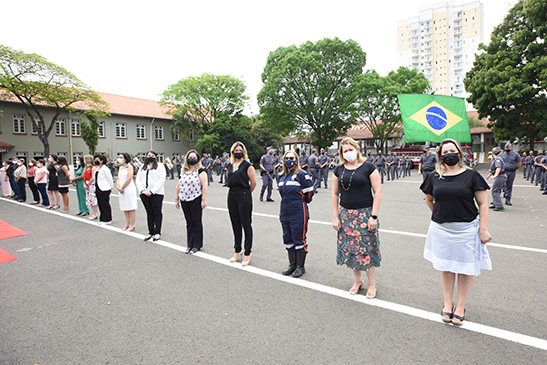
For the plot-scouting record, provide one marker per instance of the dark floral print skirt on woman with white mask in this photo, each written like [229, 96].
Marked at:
[358, 249]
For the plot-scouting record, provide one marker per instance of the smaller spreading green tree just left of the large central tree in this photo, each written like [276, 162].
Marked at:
[197, 103]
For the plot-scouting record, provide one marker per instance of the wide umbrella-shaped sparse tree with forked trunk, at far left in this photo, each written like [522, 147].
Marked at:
[36, 83]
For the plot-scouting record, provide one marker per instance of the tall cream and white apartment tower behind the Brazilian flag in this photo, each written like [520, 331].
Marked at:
[441, 42]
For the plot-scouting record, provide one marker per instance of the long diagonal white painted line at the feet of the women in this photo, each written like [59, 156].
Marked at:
[400, 308]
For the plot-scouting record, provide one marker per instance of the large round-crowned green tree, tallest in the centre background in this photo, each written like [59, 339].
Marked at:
[307, 89]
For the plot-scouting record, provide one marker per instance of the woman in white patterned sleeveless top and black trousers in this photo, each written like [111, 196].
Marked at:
[191, 194]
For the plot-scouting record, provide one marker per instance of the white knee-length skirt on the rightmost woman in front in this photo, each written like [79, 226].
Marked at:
[456, 247]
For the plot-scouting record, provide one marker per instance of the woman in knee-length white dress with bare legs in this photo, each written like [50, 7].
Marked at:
[127, 191]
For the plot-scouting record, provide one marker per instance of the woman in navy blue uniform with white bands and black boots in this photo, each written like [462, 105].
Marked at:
[296, 190]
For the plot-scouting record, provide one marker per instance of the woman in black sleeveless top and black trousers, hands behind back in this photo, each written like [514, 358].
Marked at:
[241, 179]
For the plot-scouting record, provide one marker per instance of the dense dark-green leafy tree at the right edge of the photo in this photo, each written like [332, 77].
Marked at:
[508, 80]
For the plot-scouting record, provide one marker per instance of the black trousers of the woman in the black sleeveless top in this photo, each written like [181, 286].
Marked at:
[240, 208]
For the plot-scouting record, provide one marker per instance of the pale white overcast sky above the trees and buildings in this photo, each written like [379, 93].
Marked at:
[138, 48]
